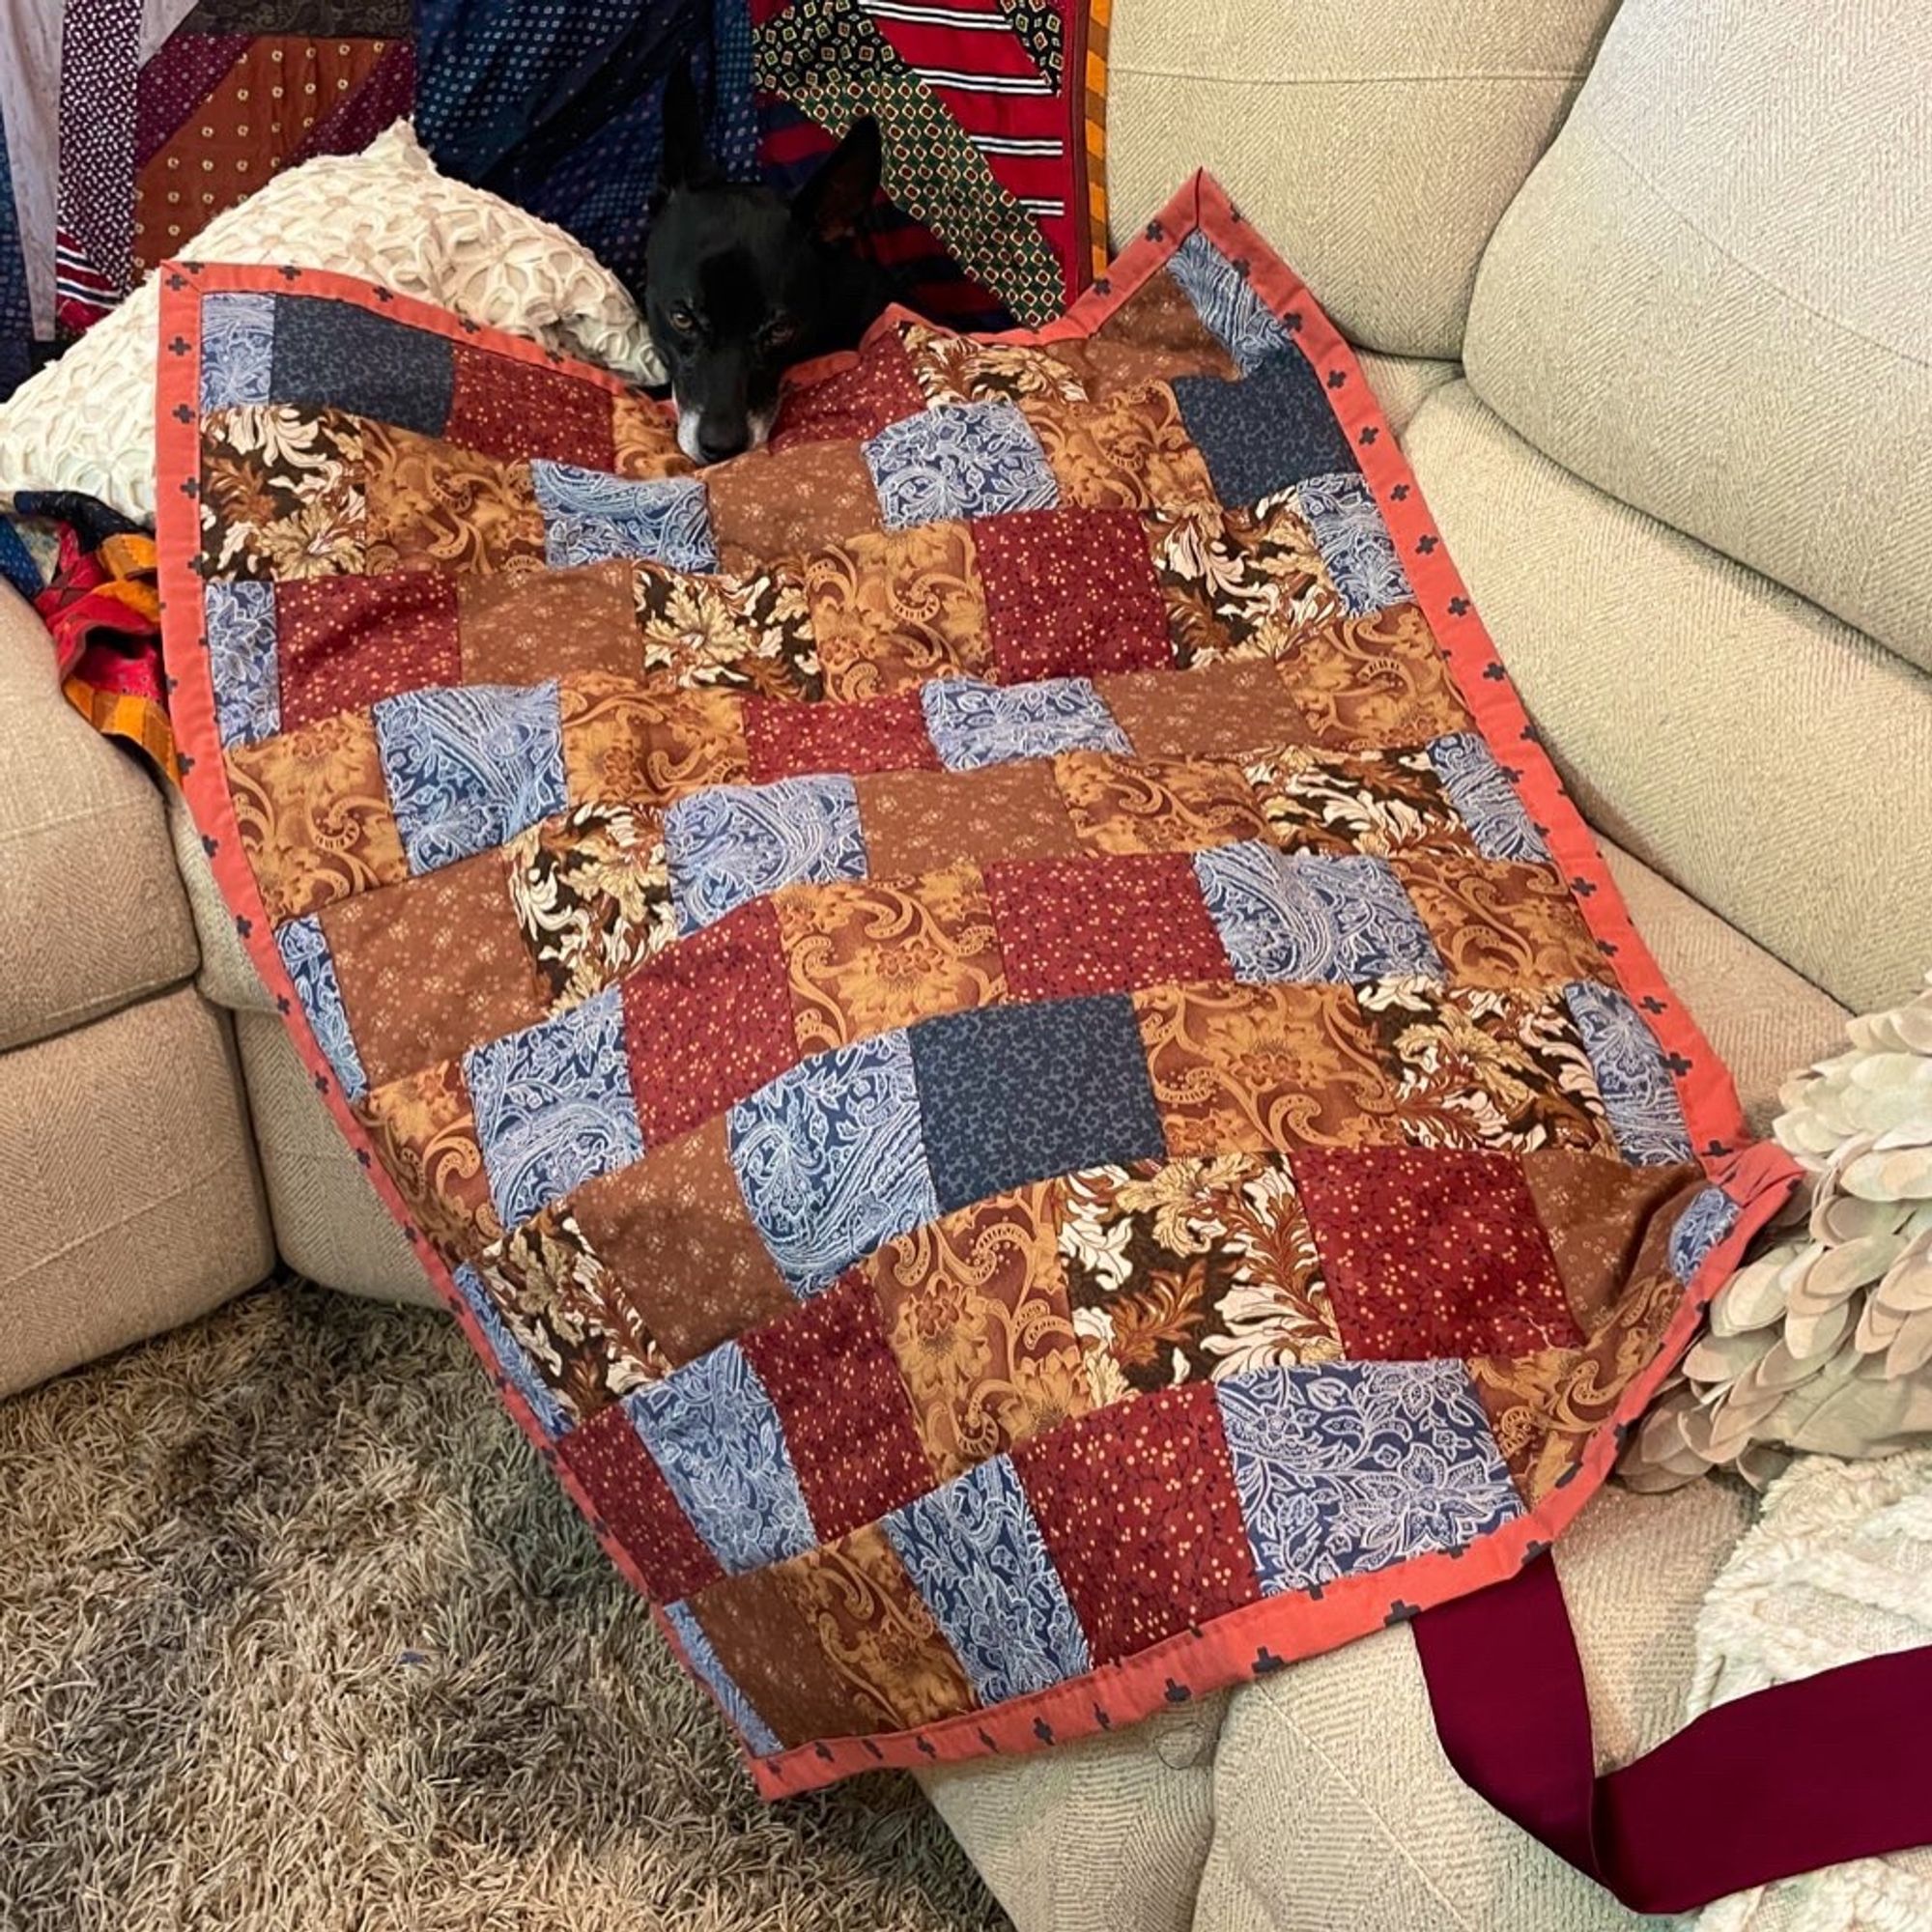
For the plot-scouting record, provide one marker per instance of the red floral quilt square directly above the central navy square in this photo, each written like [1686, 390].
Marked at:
[1102, 926]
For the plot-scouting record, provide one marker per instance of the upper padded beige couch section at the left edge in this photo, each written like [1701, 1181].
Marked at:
[92, 913]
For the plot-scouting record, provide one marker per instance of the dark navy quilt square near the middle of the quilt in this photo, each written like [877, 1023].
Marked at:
[1017, 1094]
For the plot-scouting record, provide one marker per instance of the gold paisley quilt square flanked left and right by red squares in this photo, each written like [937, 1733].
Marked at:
[878, 955]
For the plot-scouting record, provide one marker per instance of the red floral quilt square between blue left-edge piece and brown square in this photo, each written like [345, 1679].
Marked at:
[349, 642]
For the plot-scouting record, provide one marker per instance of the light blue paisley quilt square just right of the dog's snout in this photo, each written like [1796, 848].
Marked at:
[963, 459]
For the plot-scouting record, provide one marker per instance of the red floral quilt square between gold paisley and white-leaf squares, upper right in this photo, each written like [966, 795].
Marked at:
[1071, 594]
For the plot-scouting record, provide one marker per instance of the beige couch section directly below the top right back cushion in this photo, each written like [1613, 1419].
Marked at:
[1763, 756]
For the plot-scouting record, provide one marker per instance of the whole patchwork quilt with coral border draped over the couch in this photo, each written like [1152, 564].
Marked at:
[992, 1017]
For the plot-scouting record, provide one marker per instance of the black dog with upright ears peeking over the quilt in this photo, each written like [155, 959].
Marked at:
[741, 285]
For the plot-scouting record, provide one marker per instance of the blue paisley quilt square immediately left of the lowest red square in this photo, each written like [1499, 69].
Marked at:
[977, 1556]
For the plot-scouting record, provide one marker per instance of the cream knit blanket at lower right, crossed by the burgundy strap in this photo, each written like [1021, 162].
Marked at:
[1838, 1568]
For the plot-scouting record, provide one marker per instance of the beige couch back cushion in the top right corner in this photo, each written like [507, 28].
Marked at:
[1715, 297]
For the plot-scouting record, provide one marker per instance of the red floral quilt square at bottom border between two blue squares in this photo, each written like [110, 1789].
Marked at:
[1139, 1510]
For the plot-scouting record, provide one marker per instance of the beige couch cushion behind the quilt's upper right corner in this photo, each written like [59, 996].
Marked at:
[1375, 142]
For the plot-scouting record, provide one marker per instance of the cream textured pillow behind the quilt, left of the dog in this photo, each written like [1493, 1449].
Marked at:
[387, 215]
